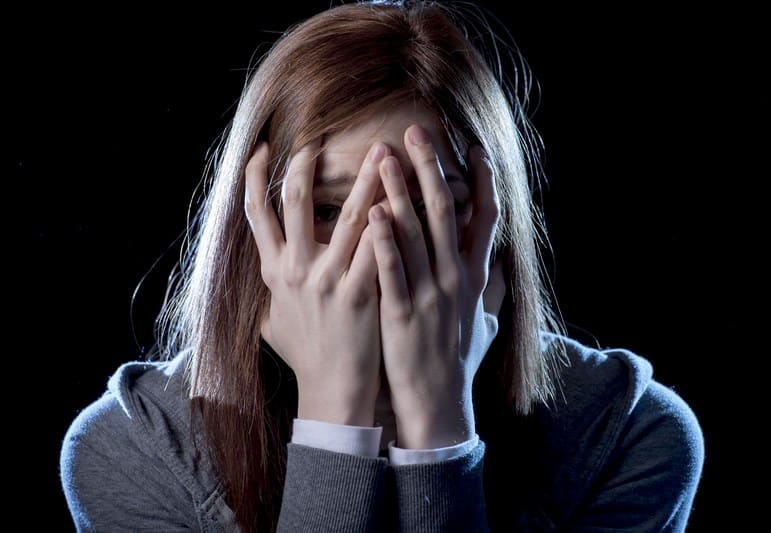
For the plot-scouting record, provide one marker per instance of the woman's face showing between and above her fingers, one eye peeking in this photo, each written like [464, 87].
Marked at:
[344, 153]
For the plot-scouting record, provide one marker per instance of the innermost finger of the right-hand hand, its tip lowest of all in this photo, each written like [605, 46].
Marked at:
[395, 295]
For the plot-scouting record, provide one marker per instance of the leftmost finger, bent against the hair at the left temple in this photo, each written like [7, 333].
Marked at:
[259, 211]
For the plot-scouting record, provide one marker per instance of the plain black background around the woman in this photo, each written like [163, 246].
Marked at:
[113, 115]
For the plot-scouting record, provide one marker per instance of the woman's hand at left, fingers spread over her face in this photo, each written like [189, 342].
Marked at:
[323, 318]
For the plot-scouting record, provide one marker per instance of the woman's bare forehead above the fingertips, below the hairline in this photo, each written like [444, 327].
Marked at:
[345, 151]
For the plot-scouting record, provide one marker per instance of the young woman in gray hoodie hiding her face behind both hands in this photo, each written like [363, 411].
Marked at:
[361, 339]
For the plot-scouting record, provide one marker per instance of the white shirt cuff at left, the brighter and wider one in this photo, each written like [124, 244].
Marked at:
[355, 440]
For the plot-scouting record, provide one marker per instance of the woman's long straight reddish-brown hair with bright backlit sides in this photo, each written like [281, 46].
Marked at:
[329, 73]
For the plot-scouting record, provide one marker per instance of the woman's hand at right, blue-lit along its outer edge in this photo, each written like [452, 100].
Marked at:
[437, 320]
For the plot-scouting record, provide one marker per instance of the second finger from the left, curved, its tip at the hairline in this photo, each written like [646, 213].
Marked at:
[297, 199]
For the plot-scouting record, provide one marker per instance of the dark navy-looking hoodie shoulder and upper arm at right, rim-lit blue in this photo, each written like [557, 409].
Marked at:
[618, 435]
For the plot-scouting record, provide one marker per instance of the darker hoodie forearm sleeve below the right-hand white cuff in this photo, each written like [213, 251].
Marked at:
[442, 496]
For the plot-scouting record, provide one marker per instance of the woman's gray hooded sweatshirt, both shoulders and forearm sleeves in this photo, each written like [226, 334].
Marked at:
[617, 451]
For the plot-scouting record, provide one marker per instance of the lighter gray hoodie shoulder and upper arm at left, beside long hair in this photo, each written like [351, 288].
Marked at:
[134, 450]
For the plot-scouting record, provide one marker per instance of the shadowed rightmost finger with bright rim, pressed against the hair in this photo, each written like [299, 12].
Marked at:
[484, 219]
